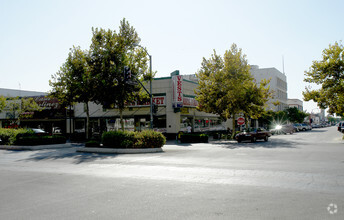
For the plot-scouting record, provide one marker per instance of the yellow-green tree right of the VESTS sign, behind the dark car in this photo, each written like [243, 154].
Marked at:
[227, 88]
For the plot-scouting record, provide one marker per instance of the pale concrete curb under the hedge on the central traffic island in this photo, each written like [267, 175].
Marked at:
[118, 151]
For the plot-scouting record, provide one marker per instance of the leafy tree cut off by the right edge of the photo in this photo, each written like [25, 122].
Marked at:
[329, 74]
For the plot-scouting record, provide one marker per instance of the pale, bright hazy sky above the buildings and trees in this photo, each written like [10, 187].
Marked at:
[36, 35]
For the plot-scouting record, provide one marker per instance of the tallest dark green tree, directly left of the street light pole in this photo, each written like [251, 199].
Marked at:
[110, 53]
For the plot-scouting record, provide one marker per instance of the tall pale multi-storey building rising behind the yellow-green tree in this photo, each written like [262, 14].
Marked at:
[278, 84]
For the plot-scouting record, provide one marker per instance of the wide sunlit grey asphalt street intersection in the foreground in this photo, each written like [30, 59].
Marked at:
[298, 176]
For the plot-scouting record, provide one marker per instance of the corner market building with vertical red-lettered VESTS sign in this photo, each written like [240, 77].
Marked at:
[175, 98]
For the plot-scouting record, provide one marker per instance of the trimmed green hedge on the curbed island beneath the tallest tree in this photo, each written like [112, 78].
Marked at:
[129, 139]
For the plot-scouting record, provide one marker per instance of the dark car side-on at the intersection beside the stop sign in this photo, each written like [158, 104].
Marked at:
[253, 134]
